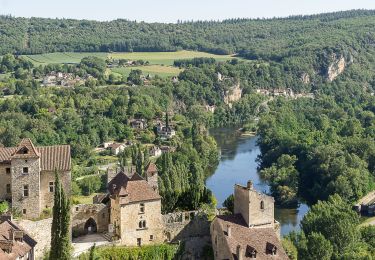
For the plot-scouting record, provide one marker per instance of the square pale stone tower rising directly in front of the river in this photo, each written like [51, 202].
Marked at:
[256, 208]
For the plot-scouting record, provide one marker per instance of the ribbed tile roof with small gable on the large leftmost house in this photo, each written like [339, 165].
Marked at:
[51, 157]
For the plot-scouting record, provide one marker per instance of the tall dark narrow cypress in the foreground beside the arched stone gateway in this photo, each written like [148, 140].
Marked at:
[60, 230]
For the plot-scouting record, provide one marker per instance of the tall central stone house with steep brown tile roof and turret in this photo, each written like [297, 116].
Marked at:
[135, 211]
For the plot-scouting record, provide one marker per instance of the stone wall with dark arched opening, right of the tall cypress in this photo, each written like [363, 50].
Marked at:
[83, 212]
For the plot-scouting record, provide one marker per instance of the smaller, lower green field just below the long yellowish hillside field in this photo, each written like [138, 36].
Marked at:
[162, 71]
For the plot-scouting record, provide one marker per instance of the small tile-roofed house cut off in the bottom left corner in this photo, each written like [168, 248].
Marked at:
[15, 243]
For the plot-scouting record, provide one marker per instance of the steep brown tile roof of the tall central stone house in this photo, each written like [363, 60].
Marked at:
[132, 190]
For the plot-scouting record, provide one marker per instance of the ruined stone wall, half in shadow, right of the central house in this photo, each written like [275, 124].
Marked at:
[185, 225]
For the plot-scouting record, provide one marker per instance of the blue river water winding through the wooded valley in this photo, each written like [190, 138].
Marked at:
[238, 165]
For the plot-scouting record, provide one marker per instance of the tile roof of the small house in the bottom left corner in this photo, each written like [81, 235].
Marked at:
[18, 248]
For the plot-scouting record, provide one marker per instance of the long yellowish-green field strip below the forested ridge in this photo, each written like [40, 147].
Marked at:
[167, 58]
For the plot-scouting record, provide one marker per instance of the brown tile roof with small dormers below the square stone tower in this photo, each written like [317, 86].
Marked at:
[249, 239]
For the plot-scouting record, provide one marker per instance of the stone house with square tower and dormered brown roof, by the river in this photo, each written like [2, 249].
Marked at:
[251, 232]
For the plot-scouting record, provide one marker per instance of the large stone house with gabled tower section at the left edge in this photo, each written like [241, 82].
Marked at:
[27, 175]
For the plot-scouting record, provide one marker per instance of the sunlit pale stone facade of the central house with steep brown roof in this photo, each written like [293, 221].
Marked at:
[130, 218]
